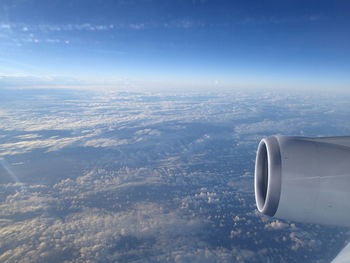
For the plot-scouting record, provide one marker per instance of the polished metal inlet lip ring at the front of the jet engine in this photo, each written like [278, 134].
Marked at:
[267, 178]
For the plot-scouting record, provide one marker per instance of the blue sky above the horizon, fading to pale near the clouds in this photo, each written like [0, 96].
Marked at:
[171, 44]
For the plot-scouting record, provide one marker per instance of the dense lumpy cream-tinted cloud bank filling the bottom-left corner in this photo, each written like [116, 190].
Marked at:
[96, 235]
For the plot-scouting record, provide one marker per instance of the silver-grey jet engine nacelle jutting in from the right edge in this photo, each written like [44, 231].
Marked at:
[304, 179]
